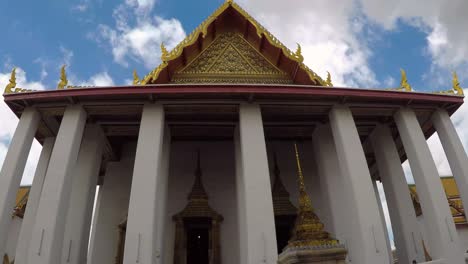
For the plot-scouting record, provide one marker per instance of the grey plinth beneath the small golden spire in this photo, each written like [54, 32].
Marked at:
[316, 255]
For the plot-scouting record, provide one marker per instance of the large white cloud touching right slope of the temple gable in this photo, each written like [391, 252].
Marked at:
[327, 31]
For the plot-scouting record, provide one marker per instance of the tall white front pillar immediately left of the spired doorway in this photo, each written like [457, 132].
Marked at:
[149, 188]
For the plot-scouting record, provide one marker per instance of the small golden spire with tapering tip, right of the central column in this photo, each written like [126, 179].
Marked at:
[309, 231]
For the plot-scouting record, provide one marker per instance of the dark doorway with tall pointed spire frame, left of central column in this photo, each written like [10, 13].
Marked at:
[197, 234]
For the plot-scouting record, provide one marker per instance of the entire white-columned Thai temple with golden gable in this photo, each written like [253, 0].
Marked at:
[231, 151]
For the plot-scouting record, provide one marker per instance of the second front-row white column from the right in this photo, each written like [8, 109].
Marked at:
[442, 235]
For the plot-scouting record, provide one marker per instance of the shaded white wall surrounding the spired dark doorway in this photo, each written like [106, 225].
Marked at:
[218, 176]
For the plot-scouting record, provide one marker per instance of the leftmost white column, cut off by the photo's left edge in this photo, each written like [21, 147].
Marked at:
[13, 168]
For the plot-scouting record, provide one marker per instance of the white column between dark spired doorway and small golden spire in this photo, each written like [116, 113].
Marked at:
[258, 243]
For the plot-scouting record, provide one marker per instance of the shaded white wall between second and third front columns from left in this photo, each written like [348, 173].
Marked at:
[112, 207]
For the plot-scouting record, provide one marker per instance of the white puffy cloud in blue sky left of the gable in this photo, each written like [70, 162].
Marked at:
[139, 39]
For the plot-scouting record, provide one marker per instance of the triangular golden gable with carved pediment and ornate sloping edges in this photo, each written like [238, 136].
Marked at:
[232, 47]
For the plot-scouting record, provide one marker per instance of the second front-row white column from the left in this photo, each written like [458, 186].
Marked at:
[47, 236]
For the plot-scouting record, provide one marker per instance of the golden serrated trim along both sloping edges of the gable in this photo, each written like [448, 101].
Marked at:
[203, 29]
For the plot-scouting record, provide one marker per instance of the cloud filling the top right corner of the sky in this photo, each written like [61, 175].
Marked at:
[444, 22]
